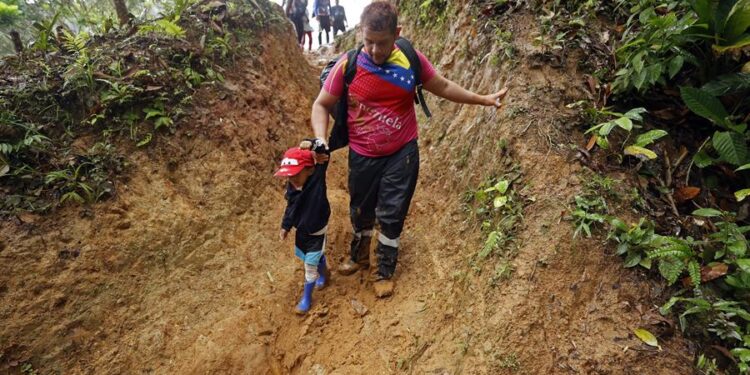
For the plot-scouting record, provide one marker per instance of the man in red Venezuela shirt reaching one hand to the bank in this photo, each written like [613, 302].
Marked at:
[382, 129]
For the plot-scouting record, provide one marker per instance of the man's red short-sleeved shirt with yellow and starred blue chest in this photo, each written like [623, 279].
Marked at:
[381, 116]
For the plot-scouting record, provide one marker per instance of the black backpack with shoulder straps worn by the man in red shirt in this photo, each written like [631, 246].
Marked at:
[340, 132]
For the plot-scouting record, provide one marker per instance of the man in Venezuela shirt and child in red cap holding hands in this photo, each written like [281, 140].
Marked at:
[374, 87]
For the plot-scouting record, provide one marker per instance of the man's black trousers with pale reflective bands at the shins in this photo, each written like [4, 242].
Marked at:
[381, 189]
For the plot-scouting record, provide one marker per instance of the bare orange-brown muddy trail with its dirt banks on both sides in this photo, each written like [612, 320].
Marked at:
[183, 273]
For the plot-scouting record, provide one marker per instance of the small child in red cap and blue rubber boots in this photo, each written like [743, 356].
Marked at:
[308, 211]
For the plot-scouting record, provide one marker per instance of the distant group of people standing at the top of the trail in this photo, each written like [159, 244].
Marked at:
[322, 10]
